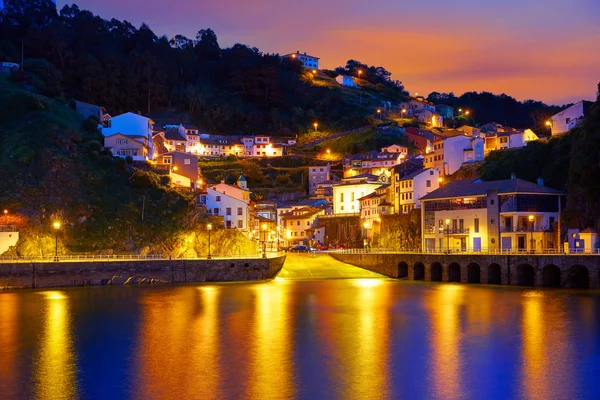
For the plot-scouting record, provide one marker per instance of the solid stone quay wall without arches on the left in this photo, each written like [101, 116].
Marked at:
[50, 274]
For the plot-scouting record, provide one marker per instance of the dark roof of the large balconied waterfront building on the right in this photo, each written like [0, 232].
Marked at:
[473, 187]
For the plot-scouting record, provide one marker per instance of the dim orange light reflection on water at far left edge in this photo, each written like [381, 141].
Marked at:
[8, 344]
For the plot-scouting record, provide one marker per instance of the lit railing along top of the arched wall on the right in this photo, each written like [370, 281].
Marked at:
[468, 251]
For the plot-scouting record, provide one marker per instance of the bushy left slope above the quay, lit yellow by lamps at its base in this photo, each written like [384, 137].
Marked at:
[53, 168]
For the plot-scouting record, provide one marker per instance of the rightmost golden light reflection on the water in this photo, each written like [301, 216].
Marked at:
[547, 357]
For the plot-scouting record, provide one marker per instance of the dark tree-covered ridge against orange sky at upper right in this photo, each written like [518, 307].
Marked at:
[503, 109]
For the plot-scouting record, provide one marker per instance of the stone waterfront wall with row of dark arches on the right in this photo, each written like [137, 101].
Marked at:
[539, 270]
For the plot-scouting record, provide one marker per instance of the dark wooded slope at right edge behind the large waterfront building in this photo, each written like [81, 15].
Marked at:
[570, 162]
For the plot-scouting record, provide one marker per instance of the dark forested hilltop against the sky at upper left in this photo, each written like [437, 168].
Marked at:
[114, 64]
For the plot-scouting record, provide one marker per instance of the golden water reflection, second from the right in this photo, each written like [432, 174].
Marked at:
[445, 340]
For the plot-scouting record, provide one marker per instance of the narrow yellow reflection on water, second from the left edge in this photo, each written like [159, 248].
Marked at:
[55, 369]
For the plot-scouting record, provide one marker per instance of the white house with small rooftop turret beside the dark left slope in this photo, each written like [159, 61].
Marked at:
[230, 202]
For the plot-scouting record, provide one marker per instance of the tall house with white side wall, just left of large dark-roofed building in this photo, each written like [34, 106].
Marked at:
[414, 186]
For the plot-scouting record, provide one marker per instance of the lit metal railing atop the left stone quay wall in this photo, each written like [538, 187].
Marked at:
[131, 257]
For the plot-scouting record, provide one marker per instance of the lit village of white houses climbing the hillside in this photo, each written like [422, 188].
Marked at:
[409, 187]
